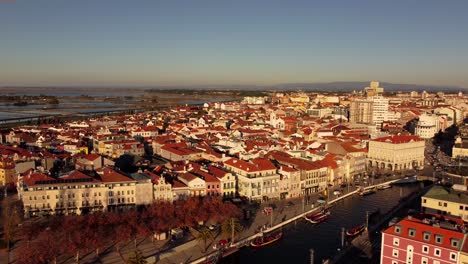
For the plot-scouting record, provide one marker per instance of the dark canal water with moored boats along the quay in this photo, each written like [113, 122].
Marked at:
[324, 238]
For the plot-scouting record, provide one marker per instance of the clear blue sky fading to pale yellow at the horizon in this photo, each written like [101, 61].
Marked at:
[217, 42]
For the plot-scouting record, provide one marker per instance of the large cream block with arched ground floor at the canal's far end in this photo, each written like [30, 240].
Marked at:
[396, 153]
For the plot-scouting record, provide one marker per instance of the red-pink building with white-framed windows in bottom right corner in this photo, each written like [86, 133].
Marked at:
[421, 241]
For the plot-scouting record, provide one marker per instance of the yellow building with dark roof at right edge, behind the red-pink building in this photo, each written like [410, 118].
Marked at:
[442, 200]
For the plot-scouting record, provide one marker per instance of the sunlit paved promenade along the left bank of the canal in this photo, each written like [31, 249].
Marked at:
[281, 216]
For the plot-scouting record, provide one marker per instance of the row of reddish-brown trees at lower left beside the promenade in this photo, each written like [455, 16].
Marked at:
[65, 236]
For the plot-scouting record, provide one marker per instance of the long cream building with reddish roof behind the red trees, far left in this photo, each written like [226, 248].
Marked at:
[77, 192]
